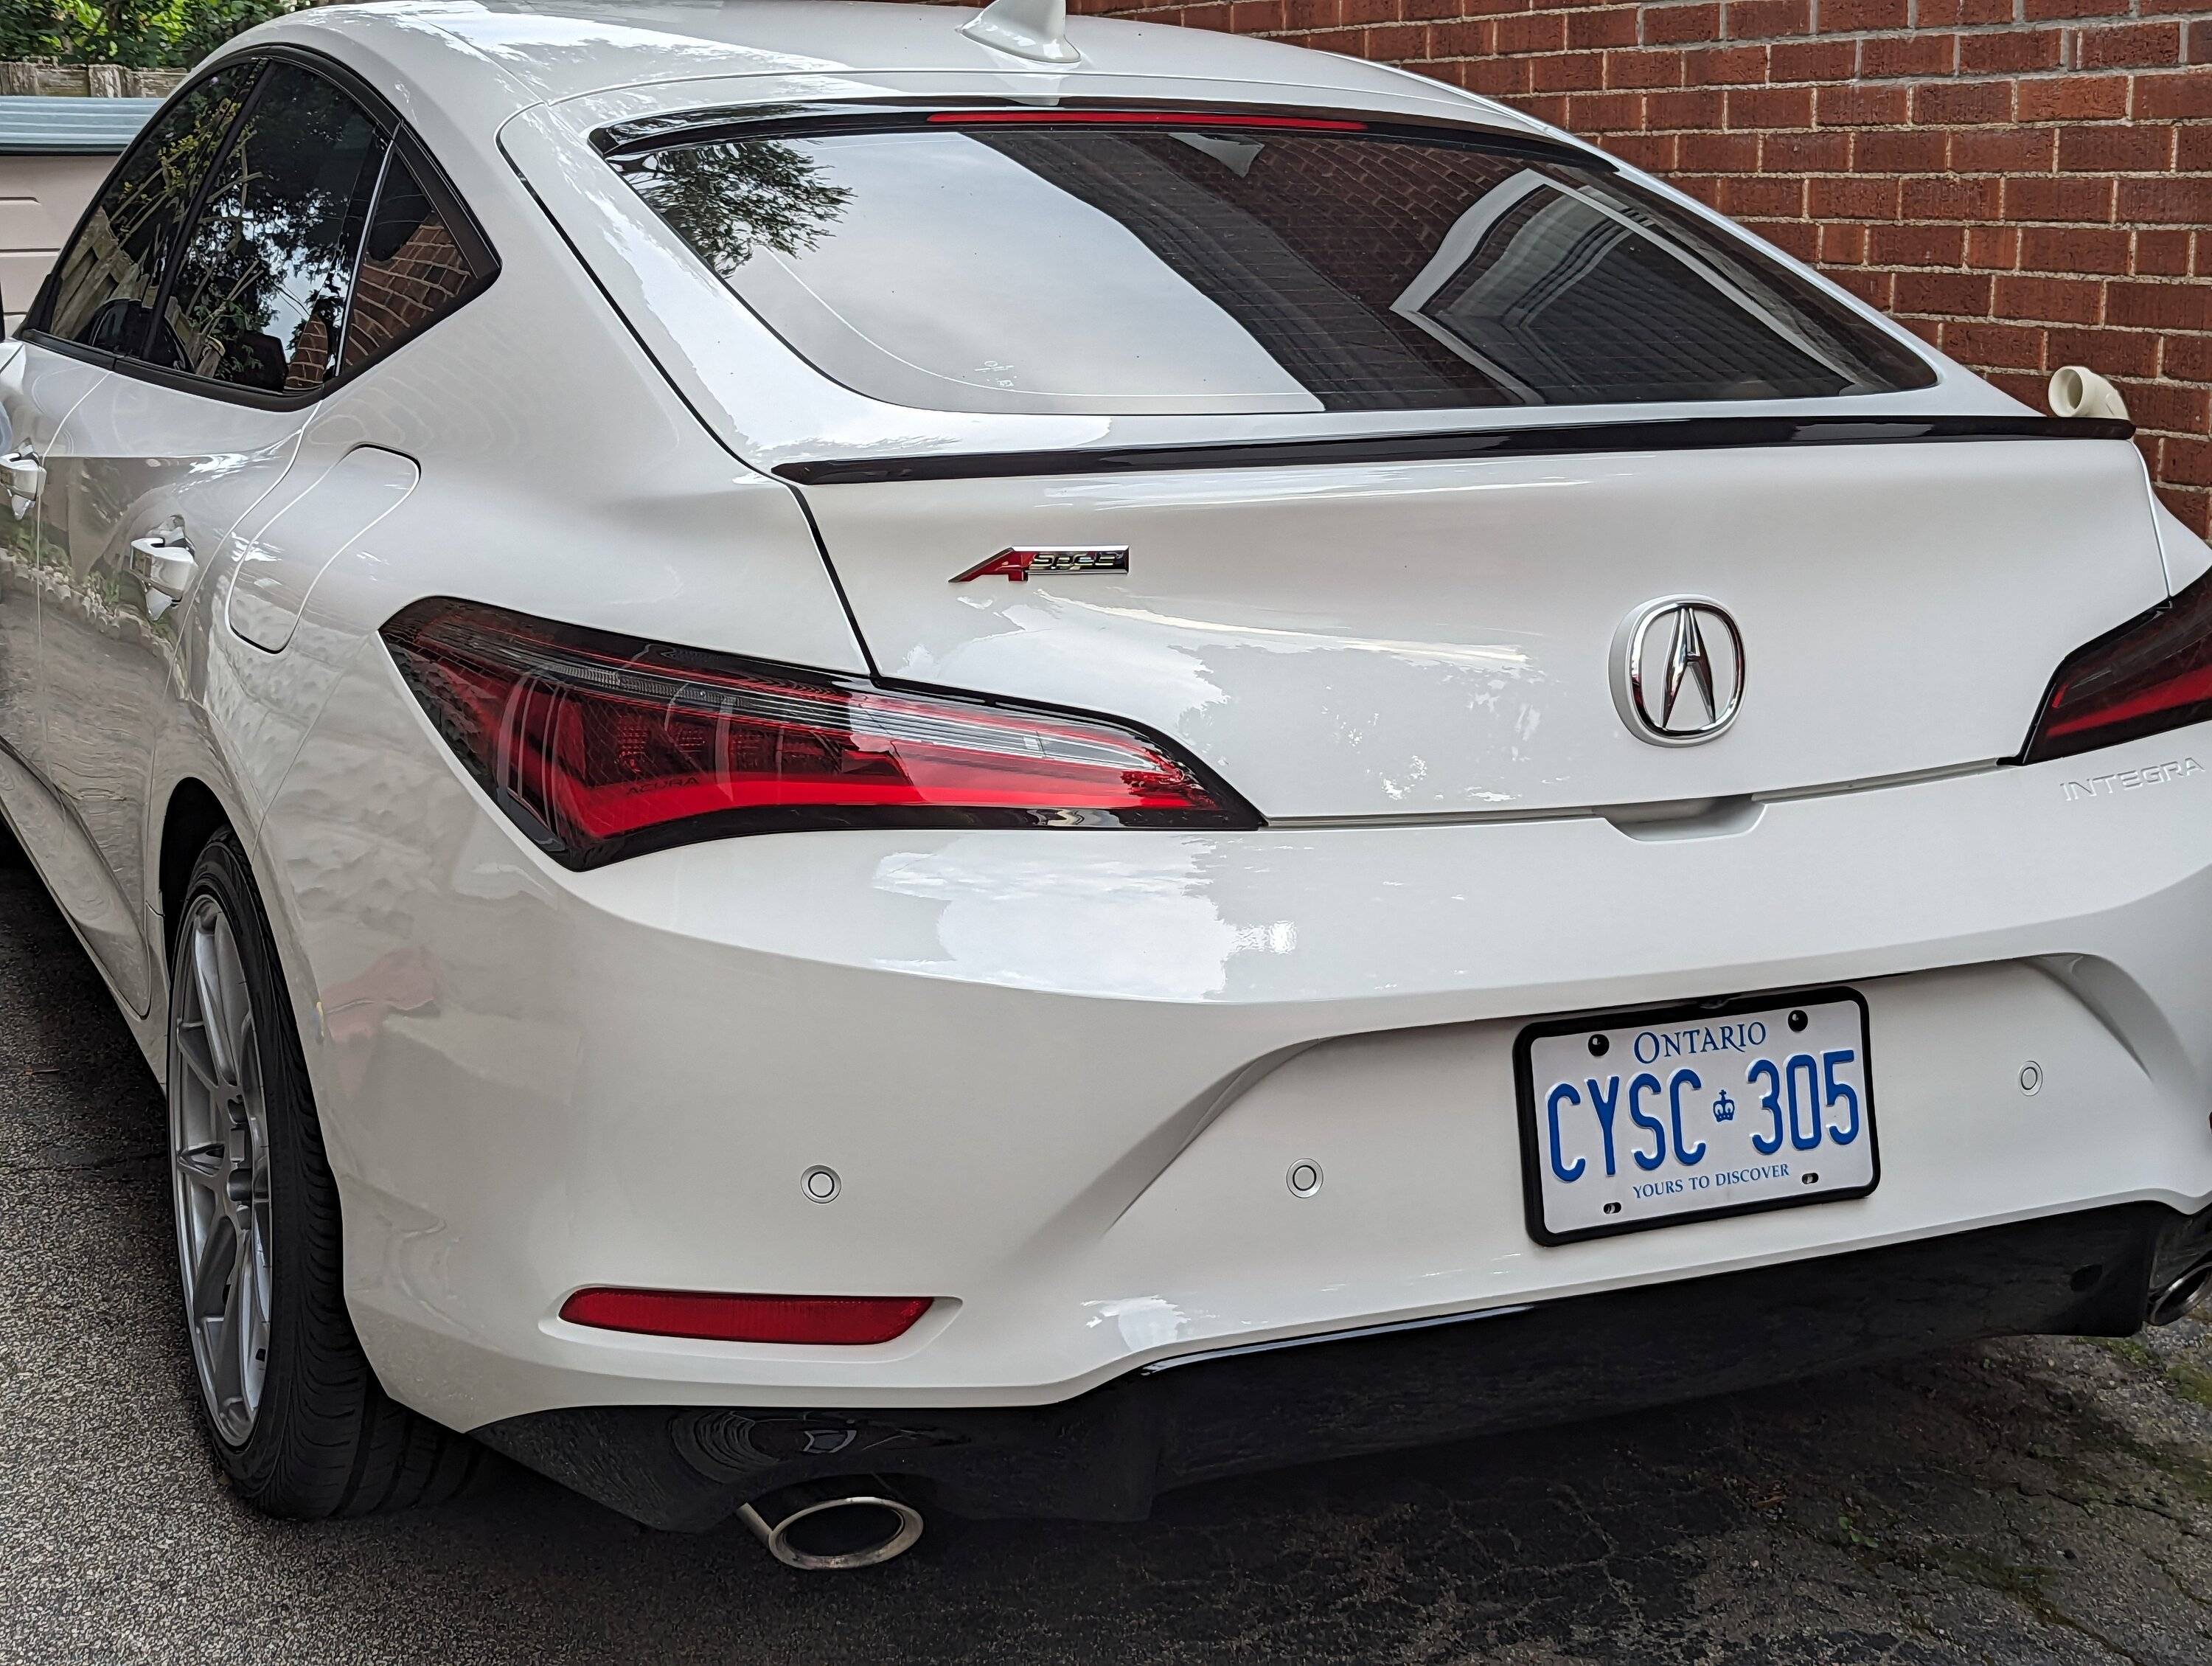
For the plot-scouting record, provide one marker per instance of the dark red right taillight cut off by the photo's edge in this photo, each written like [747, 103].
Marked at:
[2149, 676]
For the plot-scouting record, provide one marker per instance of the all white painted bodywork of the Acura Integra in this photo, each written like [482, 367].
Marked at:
[1065, 1072]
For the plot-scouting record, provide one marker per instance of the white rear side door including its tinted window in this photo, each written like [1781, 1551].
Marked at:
[191, 428]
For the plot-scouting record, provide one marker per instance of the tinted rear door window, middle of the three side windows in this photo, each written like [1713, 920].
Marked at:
[260, 295]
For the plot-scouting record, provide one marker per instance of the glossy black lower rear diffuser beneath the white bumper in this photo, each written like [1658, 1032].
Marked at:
[1105, 1455]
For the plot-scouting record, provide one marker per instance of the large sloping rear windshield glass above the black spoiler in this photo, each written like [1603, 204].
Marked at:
[1224, 269]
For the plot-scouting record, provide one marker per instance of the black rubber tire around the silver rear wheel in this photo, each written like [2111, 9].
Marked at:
[326, 1439]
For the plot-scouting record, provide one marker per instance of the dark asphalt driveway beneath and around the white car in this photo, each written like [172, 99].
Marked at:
[2021, 1503]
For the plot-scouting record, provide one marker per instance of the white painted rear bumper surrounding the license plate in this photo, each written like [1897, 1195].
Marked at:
[1063, 1074]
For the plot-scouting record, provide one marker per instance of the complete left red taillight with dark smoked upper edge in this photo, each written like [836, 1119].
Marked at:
[603, 747]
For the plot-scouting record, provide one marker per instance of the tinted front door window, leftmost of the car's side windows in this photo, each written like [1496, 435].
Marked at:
[107, 284]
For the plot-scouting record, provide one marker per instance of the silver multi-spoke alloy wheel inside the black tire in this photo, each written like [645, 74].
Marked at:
[220, 1158]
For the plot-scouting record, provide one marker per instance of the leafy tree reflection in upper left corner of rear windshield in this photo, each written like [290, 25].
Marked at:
[731, 200]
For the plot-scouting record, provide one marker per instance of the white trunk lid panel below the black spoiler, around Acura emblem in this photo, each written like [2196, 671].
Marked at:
[1446, 638]
